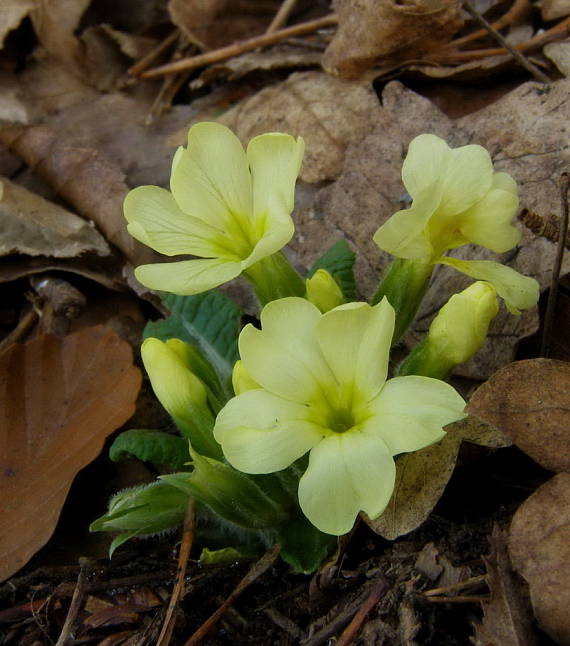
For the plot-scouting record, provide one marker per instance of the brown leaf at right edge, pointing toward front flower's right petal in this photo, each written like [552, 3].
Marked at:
[529, 401]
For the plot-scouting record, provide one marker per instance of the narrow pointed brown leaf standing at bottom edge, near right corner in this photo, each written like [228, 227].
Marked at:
[506, 617]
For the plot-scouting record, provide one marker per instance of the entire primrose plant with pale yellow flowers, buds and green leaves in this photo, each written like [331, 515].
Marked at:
[291, 428]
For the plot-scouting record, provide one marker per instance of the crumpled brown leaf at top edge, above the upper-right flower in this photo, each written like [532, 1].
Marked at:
[373, 30]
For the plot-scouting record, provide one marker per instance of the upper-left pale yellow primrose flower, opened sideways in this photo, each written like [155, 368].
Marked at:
[229, 207]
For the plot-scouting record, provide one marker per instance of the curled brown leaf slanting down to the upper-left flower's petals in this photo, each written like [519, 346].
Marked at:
[86, 179]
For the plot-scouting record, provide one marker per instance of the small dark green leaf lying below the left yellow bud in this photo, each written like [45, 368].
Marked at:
[151, 446]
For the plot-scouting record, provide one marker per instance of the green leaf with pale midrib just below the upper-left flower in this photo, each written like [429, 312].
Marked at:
[210, 321]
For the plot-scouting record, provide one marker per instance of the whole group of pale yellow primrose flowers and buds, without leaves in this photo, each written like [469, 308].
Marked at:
[314, 379]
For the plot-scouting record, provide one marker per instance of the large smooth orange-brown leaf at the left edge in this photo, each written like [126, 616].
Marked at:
[59, 400]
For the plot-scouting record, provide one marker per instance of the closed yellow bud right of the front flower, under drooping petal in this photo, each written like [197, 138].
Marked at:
[461, 326]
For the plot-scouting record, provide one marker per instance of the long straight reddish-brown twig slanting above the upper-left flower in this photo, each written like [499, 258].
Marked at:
[217, 55]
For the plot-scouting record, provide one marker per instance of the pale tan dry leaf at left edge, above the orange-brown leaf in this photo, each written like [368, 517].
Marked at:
[33, 226]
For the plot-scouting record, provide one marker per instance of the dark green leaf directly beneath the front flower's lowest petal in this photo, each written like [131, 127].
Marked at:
[303, 546]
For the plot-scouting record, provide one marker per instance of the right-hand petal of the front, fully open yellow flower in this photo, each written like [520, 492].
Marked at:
[410, 412]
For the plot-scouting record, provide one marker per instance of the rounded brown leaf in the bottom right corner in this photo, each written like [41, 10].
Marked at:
[539, 545]
